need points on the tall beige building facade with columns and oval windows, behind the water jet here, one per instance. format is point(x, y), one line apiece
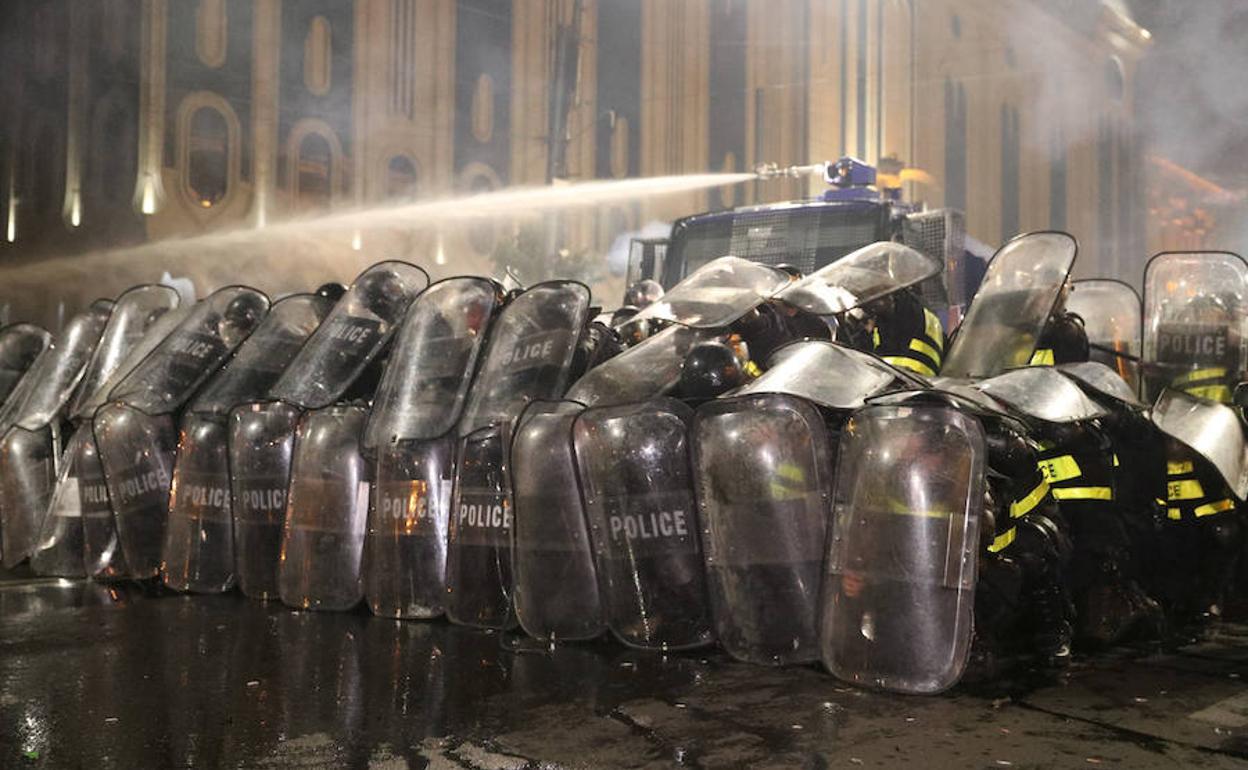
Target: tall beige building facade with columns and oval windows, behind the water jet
point(143, 122)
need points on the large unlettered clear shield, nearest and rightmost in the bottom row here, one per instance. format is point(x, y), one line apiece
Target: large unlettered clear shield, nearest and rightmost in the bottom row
point(899, 588)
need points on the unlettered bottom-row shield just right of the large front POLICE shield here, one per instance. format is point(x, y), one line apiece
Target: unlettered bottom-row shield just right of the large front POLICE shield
point(763, 474)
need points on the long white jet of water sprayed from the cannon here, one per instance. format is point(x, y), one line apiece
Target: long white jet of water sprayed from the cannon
point(298, 255)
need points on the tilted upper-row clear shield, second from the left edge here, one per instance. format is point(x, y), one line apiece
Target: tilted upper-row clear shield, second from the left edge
point(58, 371)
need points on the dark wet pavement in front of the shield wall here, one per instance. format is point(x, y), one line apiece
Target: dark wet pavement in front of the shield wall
point(119, 678)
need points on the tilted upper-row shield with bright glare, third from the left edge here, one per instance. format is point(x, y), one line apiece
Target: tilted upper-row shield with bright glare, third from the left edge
point(133, 316)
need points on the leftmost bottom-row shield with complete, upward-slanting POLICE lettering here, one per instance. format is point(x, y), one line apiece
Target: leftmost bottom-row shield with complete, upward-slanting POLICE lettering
point(137, 454)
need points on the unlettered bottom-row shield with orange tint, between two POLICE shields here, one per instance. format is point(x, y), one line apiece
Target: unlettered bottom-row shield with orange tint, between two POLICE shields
point(326, 514)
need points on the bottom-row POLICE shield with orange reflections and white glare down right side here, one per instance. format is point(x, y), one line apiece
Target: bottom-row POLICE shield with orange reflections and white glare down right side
point(409, 516)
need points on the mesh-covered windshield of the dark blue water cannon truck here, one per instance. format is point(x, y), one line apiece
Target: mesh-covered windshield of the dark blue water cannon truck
point(804, 235)
